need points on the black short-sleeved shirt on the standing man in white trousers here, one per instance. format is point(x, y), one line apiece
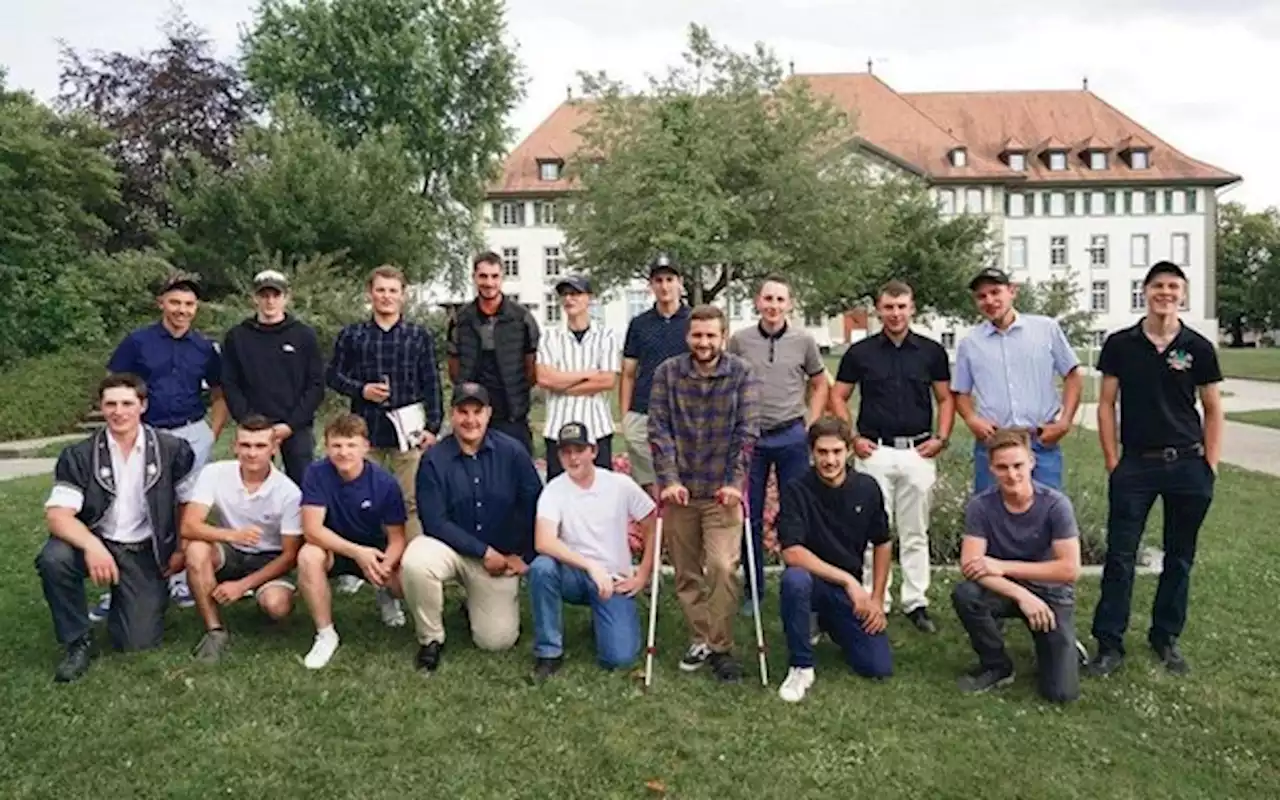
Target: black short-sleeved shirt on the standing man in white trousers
point(897, 383)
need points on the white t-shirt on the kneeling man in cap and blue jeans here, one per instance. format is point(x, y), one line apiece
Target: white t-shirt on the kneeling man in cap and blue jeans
point(595, 522)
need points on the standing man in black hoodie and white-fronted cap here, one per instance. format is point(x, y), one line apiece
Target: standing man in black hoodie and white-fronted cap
point(272, 367)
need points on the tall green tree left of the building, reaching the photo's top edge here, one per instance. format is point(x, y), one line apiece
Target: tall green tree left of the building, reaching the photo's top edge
point(436, 70)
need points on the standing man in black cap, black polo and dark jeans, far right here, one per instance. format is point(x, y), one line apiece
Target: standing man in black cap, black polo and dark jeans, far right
point(1158, 368)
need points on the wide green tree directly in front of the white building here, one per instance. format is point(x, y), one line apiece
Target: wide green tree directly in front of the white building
point(738, 173)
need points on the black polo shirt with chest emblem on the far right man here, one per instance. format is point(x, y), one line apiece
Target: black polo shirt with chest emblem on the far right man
point(1158, 388)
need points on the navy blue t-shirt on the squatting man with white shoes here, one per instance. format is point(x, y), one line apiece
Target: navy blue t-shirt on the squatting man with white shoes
point(355, 510)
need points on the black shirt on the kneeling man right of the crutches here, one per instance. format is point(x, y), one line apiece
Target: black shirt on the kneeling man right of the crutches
point(834, 523)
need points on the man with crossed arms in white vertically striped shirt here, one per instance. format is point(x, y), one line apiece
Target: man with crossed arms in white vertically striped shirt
point(578, 367)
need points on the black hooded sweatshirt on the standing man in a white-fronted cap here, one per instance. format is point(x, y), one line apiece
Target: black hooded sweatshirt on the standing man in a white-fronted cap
point(275, 371)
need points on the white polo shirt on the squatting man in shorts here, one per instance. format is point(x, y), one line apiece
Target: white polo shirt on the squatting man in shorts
point(276, 508)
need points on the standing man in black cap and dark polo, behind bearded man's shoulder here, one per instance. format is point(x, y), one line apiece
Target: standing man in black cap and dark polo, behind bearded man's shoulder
point(652, 337)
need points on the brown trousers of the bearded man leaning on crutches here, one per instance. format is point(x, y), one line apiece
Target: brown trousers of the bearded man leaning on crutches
point(706, 545)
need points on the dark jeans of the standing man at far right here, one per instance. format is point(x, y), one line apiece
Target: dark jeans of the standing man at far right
point(1187, 490)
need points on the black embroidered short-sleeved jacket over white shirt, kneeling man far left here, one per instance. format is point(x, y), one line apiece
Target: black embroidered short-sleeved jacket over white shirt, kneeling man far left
point(88, 467)
